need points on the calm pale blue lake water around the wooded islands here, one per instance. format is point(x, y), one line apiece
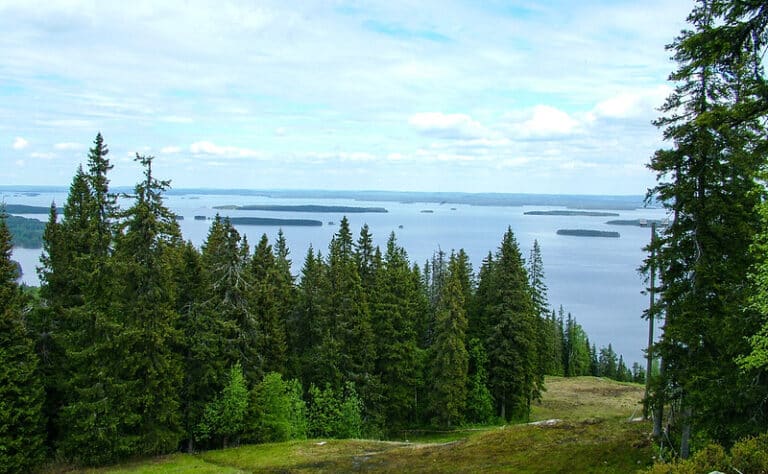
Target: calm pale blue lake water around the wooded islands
point(595, 279)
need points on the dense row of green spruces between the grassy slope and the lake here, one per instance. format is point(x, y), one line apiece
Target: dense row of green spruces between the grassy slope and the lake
point(139, 343)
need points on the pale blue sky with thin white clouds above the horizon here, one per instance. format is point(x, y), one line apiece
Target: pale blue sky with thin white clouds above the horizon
point(517, 96)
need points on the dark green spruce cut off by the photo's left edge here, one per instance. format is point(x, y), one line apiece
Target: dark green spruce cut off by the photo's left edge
point(21, 389)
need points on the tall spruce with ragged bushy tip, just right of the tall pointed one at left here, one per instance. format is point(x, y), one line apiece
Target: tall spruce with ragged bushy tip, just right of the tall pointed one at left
point(145, 256)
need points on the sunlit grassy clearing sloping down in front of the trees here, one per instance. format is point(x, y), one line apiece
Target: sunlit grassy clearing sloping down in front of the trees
point(593, 435)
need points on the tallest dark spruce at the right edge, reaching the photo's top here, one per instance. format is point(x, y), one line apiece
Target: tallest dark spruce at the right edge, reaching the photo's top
point(708, 180)
